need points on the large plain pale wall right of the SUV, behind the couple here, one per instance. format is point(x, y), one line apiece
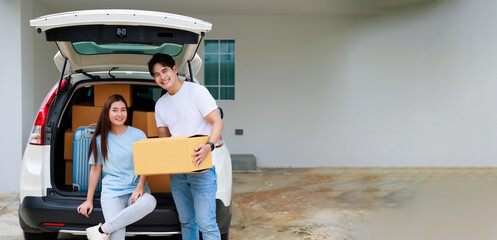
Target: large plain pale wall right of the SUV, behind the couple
point(412, 87)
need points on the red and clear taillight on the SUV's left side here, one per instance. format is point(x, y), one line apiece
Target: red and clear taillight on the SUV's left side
point(38, 132)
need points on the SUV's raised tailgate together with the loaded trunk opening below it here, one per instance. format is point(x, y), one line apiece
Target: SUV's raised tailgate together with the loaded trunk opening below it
point(102, 48)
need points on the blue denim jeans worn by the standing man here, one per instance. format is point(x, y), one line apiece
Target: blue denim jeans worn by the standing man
point(195, 198)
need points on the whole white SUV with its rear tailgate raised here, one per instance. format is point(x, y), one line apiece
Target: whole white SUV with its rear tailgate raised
point(105, 48)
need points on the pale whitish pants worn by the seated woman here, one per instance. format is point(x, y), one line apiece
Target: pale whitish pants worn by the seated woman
point(119, 213)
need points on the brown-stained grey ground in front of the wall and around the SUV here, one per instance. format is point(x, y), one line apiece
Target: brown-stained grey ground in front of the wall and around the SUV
point(349, 203)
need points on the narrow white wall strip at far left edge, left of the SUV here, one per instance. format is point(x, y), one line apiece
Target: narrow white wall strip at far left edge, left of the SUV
point(10, 95)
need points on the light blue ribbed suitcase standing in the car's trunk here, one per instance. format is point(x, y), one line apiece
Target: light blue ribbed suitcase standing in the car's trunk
point(81, 168)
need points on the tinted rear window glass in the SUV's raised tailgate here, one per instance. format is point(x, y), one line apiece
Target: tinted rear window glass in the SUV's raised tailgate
point(95, 48)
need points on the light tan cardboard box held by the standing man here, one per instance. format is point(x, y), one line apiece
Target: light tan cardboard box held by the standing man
point(168, 155)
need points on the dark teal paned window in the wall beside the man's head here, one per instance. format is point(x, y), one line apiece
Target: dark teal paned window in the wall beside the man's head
point(219, 68)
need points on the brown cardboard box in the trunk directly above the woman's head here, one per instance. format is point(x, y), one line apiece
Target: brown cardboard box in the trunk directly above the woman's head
point(102, 92)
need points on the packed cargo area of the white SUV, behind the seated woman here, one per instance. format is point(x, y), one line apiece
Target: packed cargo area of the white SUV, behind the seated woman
point(82, 109)
